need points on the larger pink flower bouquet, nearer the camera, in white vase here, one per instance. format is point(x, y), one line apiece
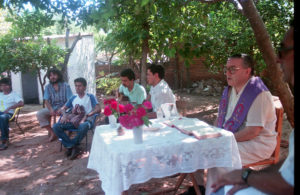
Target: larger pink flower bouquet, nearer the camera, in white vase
point(134, 117)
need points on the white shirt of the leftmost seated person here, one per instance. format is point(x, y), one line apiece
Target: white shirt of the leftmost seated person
point(9, 100)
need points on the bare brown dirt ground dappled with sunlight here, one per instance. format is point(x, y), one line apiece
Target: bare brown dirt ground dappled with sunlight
point(31, 165)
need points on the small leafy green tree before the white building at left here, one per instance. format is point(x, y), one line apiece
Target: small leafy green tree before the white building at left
point(23, 49)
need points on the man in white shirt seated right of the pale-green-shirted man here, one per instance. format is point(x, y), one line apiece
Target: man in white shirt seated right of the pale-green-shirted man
point(160, 92)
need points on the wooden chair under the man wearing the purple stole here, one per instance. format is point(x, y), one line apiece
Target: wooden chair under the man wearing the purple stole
point(278, 128)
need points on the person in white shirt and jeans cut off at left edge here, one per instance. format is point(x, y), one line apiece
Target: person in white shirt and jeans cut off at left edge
point(9, 100)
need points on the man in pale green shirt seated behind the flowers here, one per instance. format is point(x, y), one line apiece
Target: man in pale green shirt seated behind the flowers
point(136, 93)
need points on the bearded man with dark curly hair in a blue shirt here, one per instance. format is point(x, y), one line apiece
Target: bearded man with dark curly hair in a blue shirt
point(56, 94)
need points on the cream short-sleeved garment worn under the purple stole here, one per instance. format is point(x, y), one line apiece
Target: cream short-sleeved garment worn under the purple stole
point(261, 113)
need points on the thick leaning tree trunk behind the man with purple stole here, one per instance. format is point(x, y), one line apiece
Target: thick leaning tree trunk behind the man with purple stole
point(273, 70)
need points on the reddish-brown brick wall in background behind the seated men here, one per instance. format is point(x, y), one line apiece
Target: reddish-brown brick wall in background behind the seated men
point(197, 72)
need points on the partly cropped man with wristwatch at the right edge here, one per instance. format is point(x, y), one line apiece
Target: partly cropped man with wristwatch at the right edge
point(278, 178)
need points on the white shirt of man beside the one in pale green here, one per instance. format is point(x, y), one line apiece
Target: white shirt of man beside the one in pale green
point(160, 94)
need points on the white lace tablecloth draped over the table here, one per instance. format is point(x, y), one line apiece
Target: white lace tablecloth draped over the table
point(121, 163)
